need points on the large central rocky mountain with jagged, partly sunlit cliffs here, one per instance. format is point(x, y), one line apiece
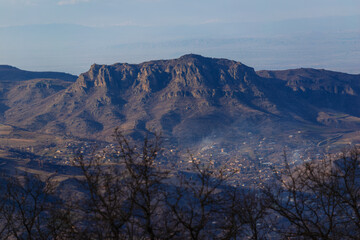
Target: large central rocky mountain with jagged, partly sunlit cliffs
point(173, 96)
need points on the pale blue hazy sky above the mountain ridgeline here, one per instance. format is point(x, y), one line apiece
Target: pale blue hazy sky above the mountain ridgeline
point(70, 35)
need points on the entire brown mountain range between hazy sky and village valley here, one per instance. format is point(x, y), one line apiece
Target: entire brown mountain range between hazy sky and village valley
point(188, 99)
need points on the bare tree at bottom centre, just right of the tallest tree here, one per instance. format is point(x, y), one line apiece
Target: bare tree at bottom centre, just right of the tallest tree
point(198, 200)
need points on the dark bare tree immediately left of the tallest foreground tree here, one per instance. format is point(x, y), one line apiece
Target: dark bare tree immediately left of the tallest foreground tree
point(105, 205)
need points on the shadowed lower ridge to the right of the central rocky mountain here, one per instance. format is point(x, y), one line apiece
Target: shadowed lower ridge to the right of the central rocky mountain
point(331, 93)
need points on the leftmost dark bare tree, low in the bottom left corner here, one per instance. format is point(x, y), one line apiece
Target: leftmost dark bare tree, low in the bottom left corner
point(28, 199)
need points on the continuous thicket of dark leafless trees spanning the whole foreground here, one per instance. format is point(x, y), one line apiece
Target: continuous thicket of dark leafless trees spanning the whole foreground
point(124, 194)
